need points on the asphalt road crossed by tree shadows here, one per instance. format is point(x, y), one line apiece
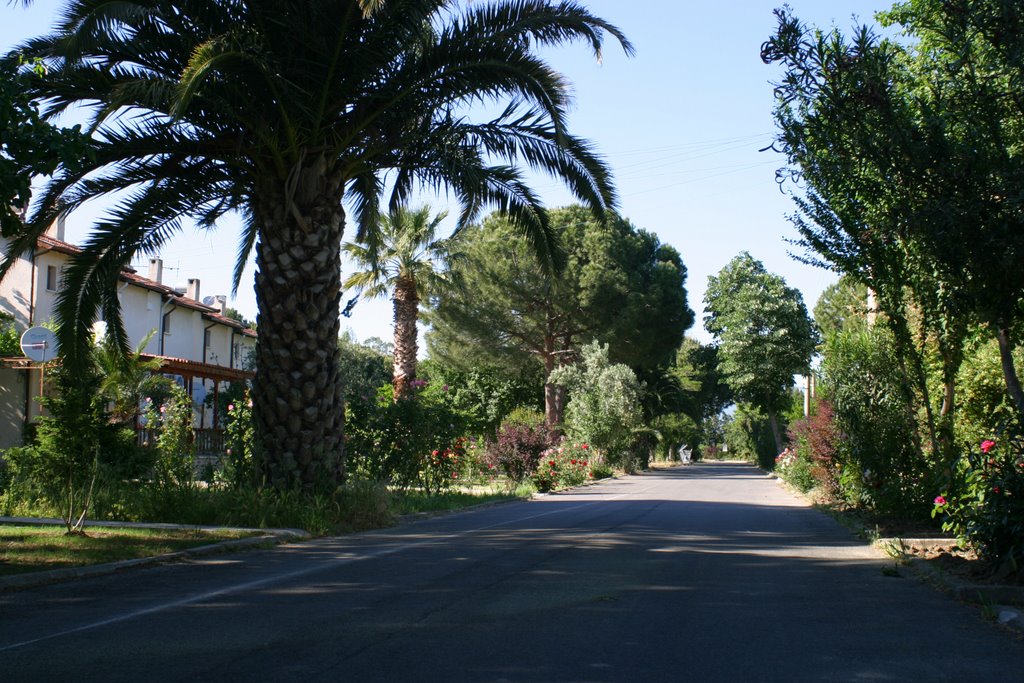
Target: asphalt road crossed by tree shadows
point(710, 573)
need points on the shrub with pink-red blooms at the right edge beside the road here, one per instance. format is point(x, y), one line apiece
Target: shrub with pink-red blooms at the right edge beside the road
point(987, 510)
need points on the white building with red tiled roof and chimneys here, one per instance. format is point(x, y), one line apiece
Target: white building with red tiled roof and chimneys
point(195, 341)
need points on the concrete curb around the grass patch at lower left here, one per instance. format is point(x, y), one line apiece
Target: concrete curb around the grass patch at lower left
point(270, 537)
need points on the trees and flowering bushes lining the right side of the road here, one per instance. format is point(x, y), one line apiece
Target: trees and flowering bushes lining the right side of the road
point(903, 157)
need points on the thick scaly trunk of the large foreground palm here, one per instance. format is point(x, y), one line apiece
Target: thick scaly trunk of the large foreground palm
point(298, 400)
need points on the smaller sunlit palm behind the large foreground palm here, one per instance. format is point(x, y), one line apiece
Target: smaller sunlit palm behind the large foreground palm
point(413, 264)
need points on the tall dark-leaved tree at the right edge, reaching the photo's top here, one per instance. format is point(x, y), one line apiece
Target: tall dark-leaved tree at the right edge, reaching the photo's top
point(909, 153)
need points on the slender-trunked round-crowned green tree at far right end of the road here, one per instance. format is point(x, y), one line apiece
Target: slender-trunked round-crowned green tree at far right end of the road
point(763, 333)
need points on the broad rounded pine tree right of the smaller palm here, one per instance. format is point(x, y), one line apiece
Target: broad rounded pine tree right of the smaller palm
point(621, 286)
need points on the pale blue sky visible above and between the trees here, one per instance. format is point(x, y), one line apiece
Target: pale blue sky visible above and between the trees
point(680, 123)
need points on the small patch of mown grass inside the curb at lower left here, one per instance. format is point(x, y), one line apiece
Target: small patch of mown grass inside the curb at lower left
point(25, 549)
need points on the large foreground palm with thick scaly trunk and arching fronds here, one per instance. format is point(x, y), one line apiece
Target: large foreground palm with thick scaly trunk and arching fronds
point(290, 113)
